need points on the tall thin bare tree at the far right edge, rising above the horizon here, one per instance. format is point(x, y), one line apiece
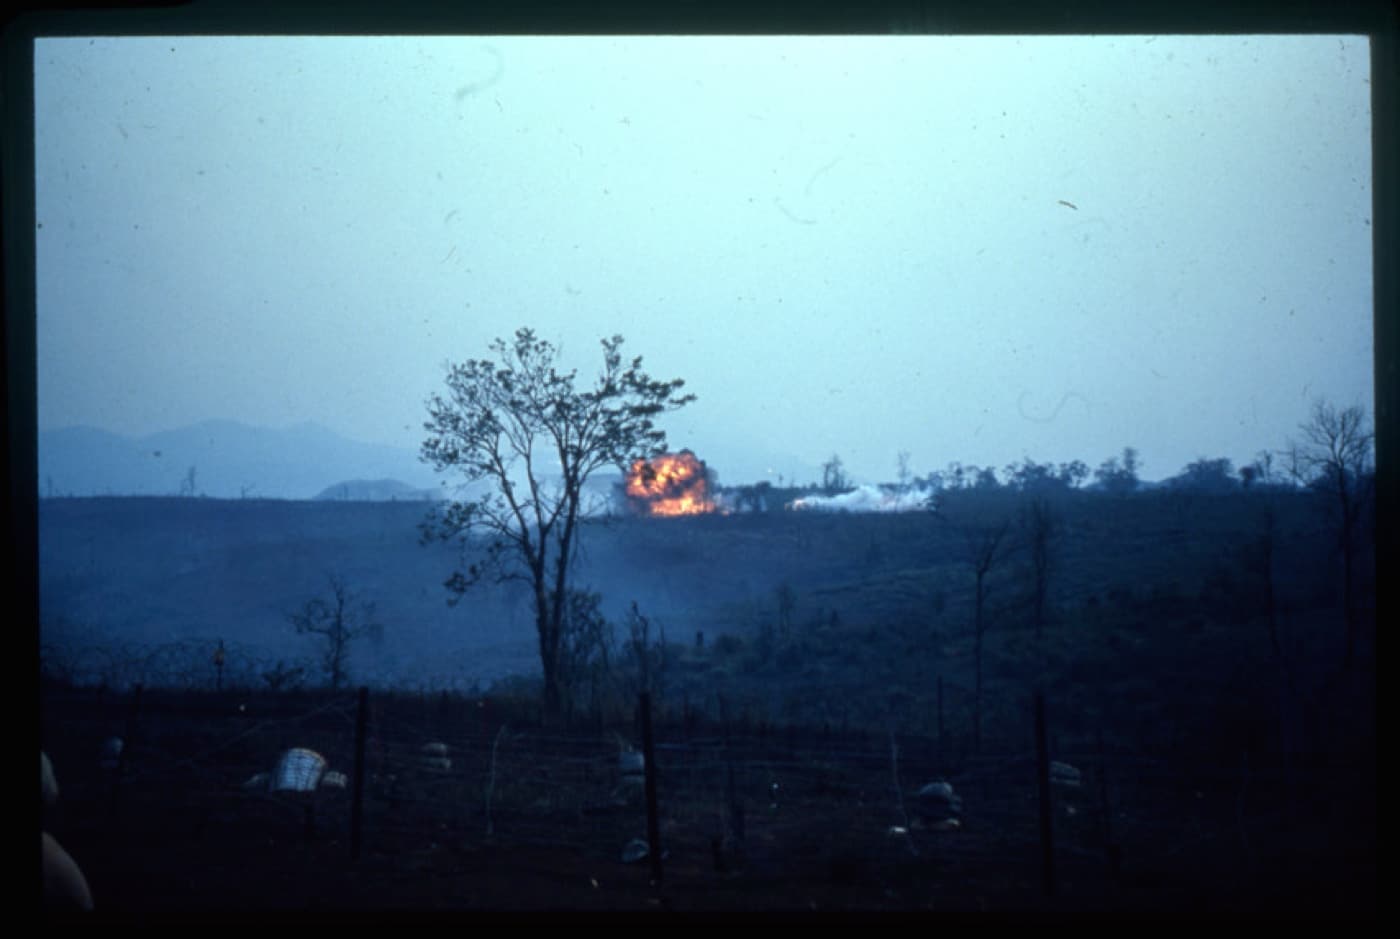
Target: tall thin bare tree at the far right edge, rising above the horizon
point(1333, 458)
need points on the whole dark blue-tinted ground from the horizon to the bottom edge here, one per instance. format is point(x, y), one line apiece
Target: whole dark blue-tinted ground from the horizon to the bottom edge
point(811, 675)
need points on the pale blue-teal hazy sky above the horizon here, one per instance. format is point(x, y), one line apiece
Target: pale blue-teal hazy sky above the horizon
point(976, 250)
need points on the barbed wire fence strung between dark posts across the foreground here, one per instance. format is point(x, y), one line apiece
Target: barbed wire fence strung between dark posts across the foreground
point(453, 770)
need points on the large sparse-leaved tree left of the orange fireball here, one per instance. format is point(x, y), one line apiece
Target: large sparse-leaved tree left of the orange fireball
point(524, 428)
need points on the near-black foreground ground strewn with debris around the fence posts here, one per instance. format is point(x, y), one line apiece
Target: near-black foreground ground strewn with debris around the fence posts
point(178, 838)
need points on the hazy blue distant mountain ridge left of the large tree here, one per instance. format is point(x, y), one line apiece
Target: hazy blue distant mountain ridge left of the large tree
point(222, 460)
